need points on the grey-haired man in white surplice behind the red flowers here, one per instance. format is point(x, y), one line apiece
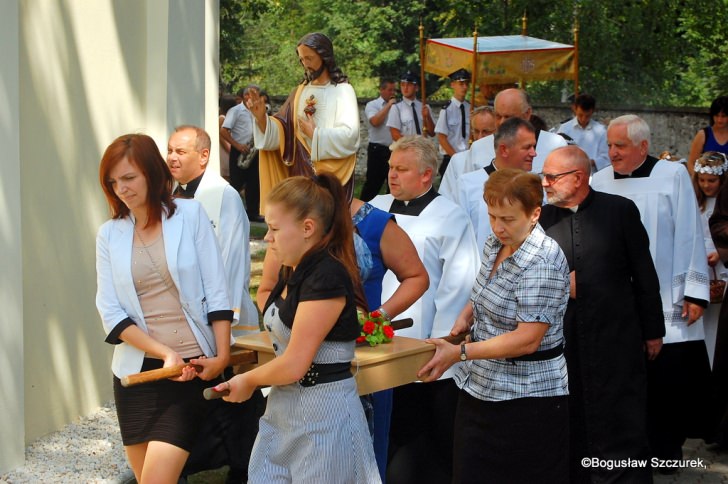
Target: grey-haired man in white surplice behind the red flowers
point(444, 239)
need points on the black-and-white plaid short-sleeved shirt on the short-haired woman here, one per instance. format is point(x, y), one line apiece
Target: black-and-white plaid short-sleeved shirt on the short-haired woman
point(531, 285)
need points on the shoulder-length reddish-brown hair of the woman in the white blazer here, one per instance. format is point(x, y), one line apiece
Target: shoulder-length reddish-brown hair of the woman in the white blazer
point(141, 151)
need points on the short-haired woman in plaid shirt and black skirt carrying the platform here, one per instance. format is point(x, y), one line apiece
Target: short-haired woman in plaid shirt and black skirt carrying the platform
point(511, 423)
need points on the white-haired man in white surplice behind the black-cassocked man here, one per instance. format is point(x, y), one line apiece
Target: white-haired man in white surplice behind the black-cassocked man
point(679, 377)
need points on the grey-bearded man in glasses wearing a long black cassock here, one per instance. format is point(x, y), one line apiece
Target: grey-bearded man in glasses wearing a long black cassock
point(614, 321)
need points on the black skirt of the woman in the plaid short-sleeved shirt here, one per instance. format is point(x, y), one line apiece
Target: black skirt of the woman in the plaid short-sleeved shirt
point(516, 441)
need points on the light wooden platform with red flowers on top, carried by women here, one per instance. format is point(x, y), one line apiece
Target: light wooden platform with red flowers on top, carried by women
point(375, 368)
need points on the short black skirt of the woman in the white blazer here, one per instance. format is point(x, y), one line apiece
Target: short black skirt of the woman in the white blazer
point(165, 411)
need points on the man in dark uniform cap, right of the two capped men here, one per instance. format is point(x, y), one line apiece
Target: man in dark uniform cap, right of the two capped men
point(453, 125)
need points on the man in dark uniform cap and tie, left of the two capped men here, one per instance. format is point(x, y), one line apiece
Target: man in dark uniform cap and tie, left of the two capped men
point(409, 116)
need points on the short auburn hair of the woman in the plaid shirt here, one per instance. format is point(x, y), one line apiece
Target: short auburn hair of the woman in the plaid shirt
point(514, 185)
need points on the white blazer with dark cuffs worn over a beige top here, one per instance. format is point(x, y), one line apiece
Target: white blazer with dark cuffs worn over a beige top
point(194, 263)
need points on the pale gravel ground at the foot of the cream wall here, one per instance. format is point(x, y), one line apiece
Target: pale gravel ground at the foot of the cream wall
point(87, 451)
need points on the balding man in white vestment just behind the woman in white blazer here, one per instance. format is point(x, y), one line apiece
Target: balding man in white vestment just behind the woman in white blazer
point(228, 433)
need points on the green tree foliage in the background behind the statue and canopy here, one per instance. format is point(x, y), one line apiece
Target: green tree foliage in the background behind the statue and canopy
point(631, 52)
